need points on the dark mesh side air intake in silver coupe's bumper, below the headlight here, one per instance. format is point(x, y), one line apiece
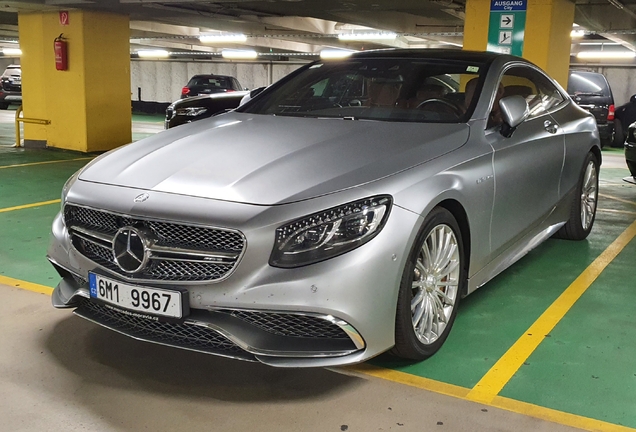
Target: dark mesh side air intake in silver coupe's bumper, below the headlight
point(292, 324)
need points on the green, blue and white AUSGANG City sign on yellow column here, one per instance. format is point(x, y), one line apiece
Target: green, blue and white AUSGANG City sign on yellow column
point(506, 26)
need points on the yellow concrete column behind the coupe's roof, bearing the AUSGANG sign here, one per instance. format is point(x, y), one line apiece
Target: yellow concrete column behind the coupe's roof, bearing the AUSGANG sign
point(547, 33)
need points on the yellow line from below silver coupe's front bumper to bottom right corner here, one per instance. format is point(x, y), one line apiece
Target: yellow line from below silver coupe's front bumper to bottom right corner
point(512, 405)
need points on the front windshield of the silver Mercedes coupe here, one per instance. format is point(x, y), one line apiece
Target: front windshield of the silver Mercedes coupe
point(388, 89)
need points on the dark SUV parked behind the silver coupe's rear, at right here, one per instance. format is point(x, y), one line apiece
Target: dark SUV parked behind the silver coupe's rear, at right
point(591, 91)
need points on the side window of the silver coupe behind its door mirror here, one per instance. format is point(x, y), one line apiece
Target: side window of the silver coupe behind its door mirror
point(536, 88)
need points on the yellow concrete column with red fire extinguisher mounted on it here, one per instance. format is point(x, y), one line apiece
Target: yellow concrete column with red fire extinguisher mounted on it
point(88, 104)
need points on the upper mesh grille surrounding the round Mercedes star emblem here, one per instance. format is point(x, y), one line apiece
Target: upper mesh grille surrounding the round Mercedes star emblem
point(94, 228)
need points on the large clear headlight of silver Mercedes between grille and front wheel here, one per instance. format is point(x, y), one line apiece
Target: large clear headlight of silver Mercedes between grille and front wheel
point(330, 233)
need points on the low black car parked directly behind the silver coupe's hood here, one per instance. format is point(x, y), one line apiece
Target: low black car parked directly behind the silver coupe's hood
point(200, 107)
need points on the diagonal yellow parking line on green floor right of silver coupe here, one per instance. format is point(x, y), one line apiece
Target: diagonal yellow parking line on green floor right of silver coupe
point(498, 376)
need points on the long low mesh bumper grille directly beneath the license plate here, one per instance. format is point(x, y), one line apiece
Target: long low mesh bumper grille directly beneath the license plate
point(189, 336)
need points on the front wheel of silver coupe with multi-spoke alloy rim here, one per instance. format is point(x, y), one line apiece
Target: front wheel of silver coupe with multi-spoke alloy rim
point(438, 291)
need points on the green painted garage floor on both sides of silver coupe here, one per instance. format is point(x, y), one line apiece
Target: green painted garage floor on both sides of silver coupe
point(585, 366)
